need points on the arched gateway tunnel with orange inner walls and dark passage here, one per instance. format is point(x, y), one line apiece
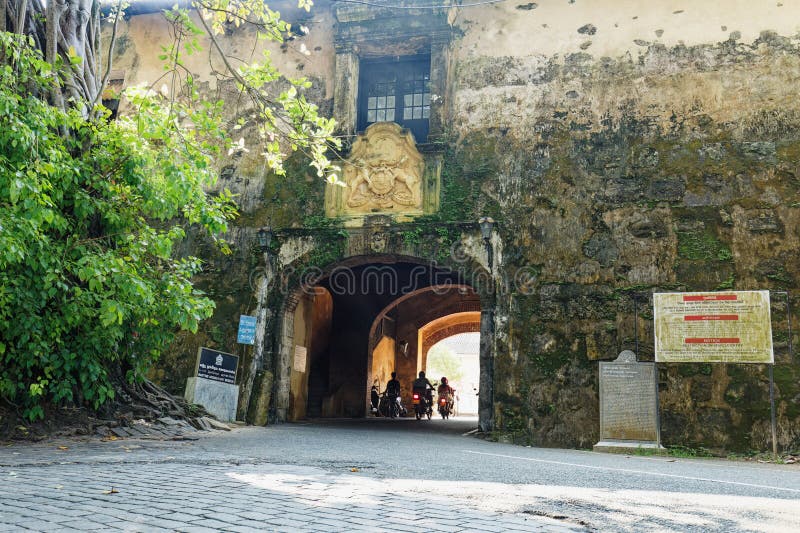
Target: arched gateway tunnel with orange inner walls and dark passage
point(362, 318)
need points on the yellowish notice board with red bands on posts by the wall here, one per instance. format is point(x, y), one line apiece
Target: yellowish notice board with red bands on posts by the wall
point(713, 327)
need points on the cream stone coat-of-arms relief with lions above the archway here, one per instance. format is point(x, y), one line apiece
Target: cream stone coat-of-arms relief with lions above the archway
point(384, 169)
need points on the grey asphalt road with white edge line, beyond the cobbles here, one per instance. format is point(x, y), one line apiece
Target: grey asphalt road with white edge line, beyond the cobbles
point(433, 461)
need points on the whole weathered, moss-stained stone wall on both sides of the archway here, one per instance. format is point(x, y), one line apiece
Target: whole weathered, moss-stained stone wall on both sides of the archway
point(622, 147)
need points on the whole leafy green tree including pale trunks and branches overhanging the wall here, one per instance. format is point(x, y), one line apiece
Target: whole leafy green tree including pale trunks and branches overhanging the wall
point(90, 210)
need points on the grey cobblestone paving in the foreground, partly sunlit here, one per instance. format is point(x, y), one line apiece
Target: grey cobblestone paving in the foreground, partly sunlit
point(72, 486)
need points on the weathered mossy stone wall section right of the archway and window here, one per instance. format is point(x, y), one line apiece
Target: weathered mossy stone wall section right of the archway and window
point(631, 149)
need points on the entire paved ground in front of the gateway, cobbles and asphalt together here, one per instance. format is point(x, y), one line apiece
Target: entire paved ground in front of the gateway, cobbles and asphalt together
point(378, 475)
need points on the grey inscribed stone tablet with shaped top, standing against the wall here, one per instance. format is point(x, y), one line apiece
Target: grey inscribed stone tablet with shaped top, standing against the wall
point(628, 410)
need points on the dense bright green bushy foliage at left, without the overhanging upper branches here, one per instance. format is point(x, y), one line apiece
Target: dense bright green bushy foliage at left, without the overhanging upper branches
point(90, 290)
